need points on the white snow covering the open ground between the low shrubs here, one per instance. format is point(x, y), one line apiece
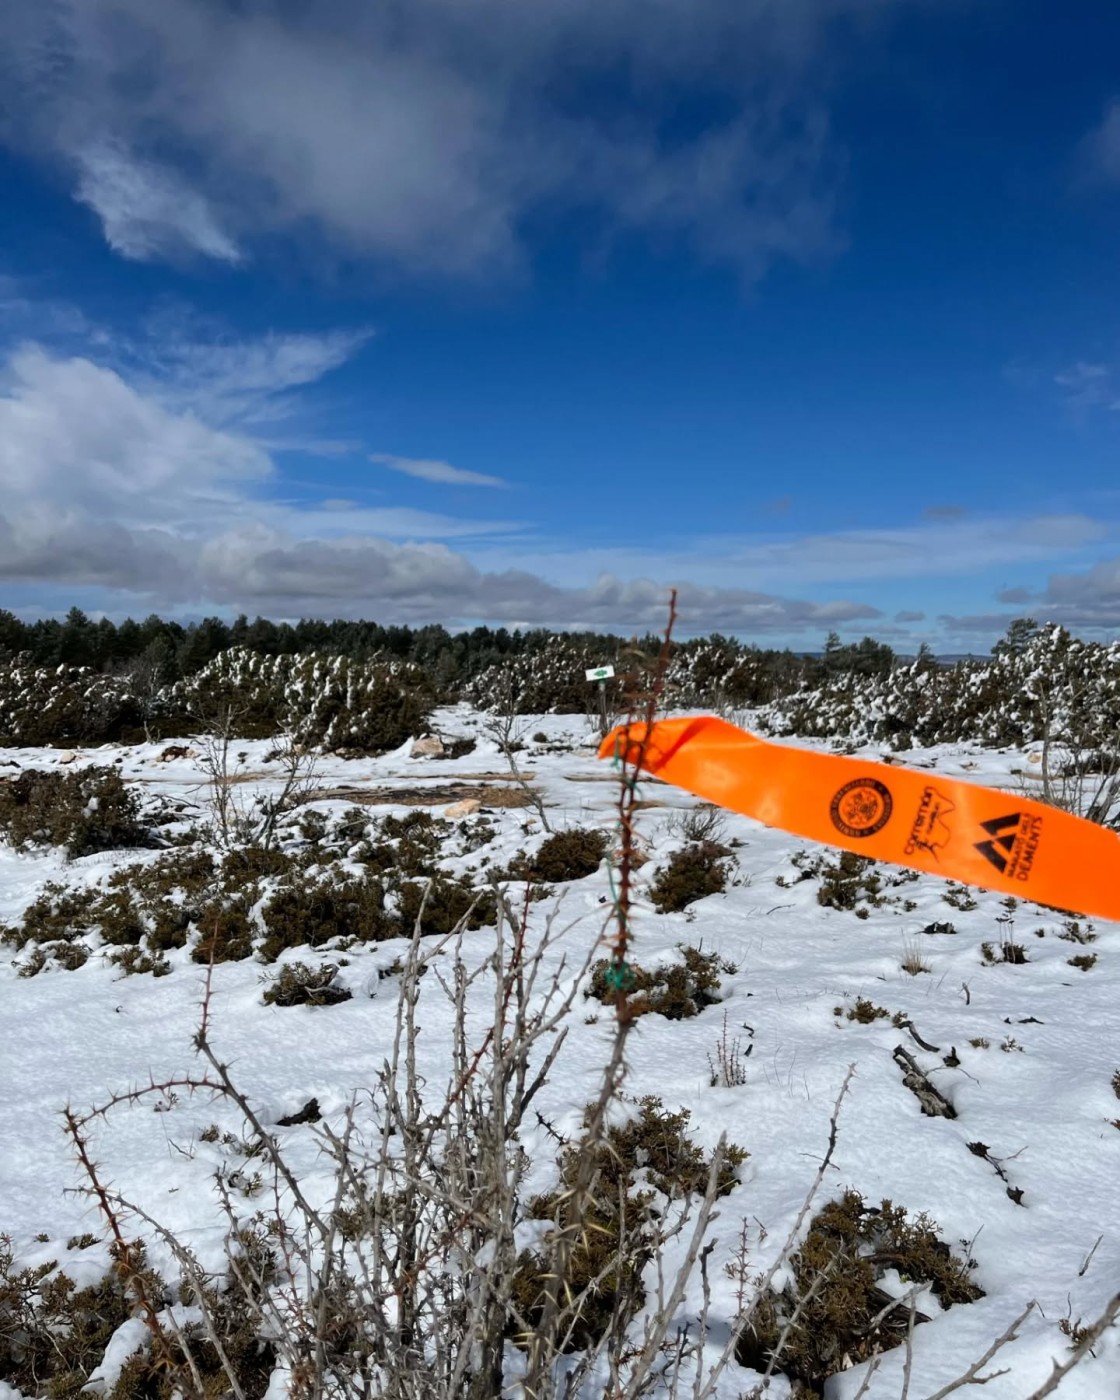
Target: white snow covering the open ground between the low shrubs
point(1035, 1087)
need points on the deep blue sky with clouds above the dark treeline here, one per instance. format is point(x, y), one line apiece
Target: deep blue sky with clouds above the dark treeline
point(521, 314)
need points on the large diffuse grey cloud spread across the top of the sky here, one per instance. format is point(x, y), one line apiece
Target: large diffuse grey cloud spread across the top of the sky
point(426, 134)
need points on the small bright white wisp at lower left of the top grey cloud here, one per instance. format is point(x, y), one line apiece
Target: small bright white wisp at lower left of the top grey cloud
point(146, 211)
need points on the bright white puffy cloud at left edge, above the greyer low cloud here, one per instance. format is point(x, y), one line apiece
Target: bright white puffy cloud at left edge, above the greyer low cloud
point(82, 442)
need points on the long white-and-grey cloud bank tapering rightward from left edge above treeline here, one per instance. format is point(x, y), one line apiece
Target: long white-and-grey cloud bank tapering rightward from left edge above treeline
point(110, 485)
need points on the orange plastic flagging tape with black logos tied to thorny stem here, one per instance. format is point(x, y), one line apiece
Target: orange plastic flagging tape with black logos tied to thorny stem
point(933, 824)
